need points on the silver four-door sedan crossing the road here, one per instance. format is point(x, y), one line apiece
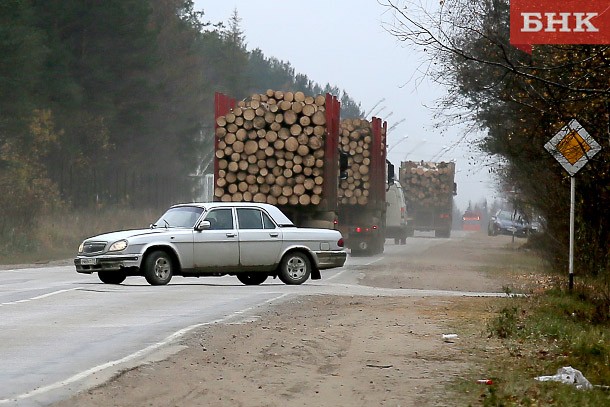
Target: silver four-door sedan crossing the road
point(248, 240)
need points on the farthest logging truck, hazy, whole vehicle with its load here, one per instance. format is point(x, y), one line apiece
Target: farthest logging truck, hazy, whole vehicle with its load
point(429, 189)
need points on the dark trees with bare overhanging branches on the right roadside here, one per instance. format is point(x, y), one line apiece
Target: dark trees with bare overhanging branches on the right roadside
point(519, 102)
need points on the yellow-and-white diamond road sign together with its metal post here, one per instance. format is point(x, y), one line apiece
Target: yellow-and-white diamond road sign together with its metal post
point(572, 147)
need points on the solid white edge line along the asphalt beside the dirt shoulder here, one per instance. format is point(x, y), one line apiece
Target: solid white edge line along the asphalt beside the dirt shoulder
point(133, 356)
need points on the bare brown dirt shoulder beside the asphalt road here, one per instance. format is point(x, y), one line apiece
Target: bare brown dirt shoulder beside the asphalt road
point(332, 351)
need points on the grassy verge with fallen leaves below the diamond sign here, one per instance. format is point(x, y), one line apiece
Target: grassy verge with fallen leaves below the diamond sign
point(513, 340)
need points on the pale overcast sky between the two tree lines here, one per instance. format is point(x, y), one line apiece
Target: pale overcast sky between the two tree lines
point(343, 42)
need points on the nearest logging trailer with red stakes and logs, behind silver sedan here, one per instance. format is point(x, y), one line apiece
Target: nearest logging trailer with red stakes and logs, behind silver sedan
point(279, 148)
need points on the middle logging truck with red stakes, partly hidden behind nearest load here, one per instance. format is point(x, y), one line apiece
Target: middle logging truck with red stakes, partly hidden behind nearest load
point(362, 191)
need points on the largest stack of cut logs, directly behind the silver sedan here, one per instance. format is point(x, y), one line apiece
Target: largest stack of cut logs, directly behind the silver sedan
point(271, 149)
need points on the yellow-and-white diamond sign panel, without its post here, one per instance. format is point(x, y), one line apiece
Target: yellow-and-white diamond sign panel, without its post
point(572, 147)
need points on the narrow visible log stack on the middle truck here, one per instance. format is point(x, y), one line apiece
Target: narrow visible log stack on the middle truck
point(355, 139)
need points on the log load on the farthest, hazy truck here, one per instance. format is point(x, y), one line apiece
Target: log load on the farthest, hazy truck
point(427, 183)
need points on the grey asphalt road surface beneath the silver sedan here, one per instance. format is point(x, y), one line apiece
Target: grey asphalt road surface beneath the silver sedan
point(62, 332)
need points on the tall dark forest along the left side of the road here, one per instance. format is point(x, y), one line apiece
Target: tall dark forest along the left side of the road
point(101, 100)
